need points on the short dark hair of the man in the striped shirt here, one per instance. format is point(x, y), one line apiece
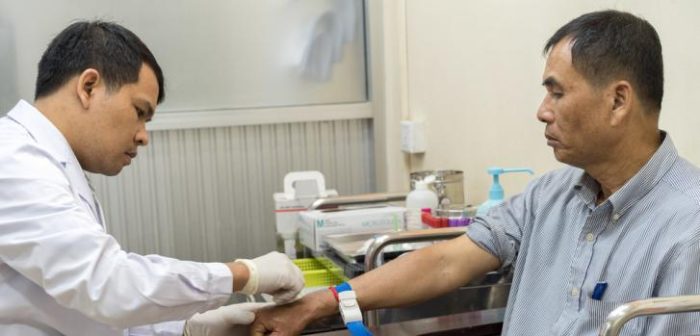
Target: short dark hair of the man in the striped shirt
point(611, 45)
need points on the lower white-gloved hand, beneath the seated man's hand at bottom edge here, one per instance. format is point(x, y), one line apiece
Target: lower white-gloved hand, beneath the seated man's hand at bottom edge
point(225, 320)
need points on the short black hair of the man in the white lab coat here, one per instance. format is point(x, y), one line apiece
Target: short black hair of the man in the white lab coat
point(107, 47)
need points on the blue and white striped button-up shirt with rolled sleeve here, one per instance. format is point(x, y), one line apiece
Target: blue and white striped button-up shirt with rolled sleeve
point(644, 241)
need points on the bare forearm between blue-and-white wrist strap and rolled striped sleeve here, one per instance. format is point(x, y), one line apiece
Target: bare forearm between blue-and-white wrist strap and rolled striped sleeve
point(423, 274)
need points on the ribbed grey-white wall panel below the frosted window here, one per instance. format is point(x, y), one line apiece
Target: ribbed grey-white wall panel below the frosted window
point(206, 194)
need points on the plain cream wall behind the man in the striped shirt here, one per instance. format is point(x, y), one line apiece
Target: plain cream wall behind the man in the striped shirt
point(473, 73)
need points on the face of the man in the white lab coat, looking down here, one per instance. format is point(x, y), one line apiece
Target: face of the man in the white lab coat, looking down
point(120, 124)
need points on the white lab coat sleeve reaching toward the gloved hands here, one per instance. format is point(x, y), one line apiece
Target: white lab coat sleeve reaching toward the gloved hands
point(46, 236)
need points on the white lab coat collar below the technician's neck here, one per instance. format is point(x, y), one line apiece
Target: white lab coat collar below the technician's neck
point(45, 133)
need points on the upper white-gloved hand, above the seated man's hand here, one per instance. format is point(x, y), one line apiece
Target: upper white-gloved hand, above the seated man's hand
point(273, 274)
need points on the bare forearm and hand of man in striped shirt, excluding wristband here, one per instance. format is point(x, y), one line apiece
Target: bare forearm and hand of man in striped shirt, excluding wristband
point(412, 278)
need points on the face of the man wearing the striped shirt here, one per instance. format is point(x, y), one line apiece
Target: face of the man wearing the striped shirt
point(573, 111)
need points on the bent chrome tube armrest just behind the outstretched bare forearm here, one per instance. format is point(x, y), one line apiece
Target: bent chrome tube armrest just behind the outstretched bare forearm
point(374, 251)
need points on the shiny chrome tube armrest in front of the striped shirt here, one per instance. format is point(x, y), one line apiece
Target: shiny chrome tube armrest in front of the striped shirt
point(654, 306)
